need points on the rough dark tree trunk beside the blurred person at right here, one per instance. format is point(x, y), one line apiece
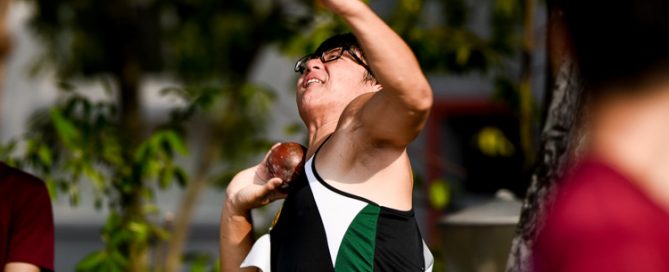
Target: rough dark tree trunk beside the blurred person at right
point(560, 140)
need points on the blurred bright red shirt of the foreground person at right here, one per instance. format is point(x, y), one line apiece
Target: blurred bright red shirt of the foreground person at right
point(602, 222)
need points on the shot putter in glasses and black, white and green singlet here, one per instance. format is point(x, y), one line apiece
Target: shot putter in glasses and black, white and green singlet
point(363, 99)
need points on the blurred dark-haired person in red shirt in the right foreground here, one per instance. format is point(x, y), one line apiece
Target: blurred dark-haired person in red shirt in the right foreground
point(612, 211)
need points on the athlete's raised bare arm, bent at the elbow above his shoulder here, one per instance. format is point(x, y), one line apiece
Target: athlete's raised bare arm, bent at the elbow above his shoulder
point(397, 113)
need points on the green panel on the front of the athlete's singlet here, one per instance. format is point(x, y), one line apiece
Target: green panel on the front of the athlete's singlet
point(356, 252)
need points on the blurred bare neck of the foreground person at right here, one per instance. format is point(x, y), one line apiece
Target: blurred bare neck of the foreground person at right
point(630, 133)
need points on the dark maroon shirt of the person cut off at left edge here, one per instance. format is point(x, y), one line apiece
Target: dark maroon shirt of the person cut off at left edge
point(26, 220)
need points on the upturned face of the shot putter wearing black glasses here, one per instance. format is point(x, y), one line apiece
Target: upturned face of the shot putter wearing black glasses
point(336, 76)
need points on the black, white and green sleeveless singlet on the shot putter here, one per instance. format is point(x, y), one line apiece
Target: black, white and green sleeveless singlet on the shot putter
point(321, 228)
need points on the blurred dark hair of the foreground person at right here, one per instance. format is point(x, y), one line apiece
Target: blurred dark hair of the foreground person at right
point(619, 42)
